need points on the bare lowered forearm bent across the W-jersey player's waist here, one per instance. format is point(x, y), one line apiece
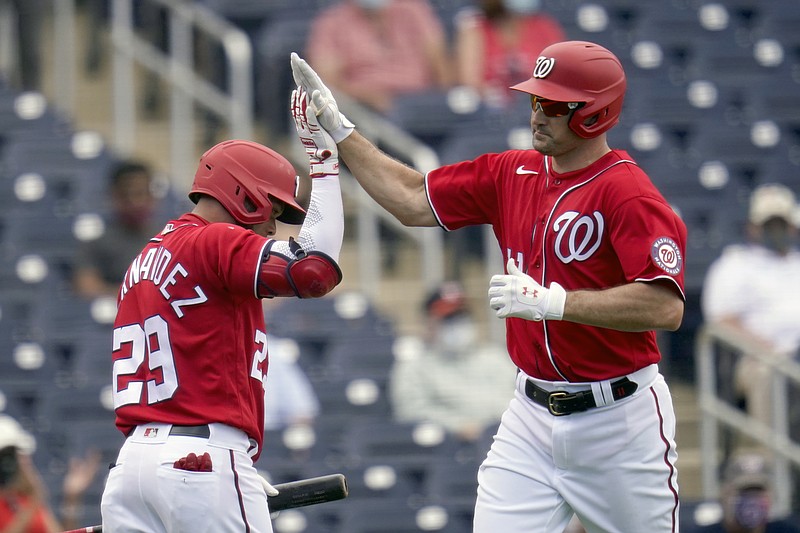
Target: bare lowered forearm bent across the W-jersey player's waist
point(632, 307)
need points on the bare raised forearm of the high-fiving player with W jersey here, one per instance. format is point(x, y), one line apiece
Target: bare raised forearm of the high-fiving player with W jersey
point(395, 186)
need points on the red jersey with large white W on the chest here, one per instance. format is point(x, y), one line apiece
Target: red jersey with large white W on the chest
point(599, 227)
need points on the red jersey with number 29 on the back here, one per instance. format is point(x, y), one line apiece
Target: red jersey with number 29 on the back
point(190, 346)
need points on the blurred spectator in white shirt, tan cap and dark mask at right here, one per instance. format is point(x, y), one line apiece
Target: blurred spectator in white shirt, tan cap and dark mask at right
point(755, 288)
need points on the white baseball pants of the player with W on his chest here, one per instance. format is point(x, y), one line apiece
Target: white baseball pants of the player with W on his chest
point(613, 466)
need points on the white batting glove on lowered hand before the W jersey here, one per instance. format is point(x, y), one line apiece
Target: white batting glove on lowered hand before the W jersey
point(517, 295)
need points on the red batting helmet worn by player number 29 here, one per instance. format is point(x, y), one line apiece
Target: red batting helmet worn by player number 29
point(244, 177)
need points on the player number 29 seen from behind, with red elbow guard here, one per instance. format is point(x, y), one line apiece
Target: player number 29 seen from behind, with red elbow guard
point(190, 351)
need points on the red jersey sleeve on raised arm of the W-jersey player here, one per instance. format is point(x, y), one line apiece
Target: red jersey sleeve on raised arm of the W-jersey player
point(465, 193)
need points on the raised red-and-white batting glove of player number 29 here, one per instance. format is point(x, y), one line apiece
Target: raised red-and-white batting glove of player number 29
point(323, 156)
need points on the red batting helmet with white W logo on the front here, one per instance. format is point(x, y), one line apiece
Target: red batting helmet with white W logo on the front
point(580, 71)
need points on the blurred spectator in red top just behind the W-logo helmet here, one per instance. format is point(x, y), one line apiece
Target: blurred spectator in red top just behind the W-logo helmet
point(497, 43)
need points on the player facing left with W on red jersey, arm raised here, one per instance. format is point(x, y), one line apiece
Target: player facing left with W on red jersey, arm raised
point(594, 265)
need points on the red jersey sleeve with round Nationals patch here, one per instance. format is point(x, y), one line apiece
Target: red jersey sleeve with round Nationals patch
point(650, 241)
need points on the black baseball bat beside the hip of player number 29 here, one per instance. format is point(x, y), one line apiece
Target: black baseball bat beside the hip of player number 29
point(293, 494)
